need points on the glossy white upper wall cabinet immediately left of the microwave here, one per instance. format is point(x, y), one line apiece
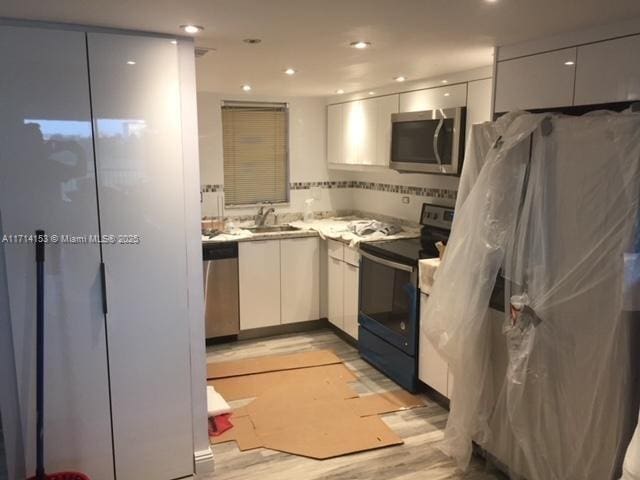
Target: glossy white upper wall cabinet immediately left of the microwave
point(359, 132)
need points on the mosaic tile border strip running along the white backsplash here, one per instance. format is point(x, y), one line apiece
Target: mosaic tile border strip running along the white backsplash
point(379, 187)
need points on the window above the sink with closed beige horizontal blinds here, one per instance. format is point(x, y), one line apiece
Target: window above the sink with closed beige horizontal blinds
point(255, 147)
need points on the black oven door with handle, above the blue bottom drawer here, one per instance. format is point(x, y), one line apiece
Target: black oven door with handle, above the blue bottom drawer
point(389, 299)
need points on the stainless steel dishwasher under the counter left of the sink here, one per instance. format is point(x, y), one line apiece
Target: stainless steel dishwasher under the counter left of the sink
point(221, 290)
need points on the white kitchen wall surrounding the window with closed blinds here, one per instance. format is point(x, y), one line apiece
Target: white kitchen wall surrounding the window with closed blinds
point(307, 145)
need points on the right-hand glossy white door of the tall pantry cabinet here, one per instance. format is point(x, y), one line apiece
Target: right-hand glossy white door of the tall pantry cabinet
point(136, 109)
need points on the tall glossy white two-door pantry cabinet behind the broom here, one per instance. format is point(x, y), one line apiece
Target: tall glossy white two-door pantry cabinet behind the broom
point(91, 143)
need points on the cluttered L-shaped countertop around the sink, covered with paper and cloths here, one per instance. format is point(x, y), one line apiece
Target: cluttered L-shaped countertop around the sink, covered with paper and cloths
point(333, 228)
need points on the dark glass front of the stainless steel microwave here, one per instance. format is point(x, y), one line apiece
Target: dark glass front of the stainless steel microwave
point(413, 142)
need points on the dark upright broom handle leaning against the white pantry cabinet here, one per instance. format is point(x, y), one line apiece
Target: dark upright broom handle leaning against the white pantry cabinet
point(40, 475)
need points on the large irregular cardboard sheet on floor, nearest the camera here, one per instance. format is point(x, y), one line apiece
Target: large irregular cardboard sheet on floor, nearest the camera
point(309, 411)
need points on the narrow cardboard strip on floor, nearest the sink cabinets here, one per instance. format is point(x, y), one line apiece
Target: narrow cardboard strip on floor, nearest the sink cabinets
point(271, 363)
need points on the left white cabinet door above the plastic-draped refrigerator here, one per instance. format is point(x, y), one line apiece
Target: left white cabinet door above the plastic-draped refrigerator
point(537, 81)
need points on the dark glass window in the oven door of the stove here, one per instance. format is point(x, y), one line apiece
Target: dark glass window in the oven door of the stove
point(388, 296)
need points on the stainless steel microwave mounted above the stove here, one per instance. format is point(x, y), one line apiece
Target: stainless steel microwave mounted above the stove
point(431, 141)
